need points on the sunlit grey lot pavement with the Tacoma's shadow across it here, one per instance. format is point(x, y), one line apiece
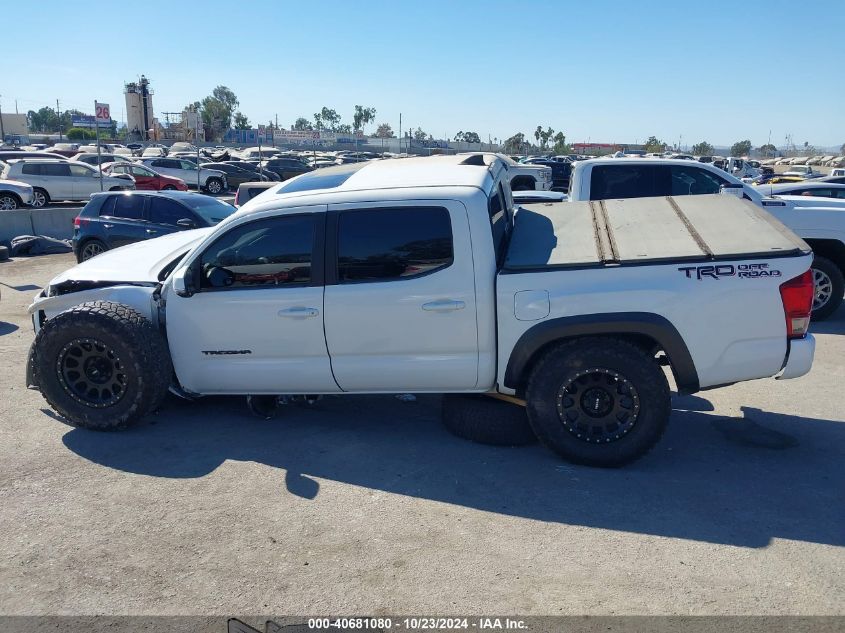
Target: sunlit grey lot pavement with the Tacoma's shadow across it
point(367, 505)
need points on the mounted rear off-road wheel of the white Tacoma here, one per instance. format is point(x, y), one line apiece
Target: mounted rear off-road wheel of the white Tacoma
point(618, 367)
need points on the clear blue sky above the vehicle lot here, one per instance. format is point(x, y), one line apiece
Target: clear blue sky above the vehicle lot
point(600, 70)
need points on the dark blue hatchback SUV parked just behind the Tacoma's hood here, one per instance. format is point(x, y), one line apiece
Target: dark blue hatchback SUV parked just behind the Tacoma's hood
point(114, 219)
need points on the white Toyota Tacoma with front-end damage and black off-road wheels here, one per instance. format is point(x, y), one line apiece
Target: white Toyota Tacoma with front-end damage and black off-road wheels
point(414, 276)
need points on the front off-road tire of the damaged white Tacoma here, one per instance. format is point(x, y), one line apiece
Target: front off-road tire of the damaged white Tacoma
point(140, 349)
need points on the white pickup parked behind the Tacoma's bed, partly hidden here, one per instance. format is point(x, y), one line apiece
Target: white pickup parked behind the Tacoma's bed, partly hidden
point(818, 221)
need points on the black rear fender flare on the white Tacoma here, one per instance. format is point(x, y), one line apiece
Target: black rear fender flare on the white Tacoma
point(646, 324)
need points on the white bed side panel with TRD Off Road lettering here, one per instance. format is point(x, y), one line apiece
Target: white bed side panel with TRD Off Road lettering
point(733, 327)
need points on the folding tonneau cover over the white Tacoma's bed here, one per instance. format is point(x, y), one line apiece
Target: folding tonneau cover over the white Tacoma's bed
point(634, 230)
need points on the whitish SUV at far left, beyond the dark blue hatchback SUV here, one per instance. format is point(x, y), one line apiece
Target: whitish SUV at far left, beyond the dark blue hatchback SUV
point(63, 180)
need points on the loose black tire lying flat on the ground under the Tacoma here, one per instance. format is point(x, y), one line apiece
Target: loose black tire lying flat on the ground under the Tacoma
point(486, 420)
